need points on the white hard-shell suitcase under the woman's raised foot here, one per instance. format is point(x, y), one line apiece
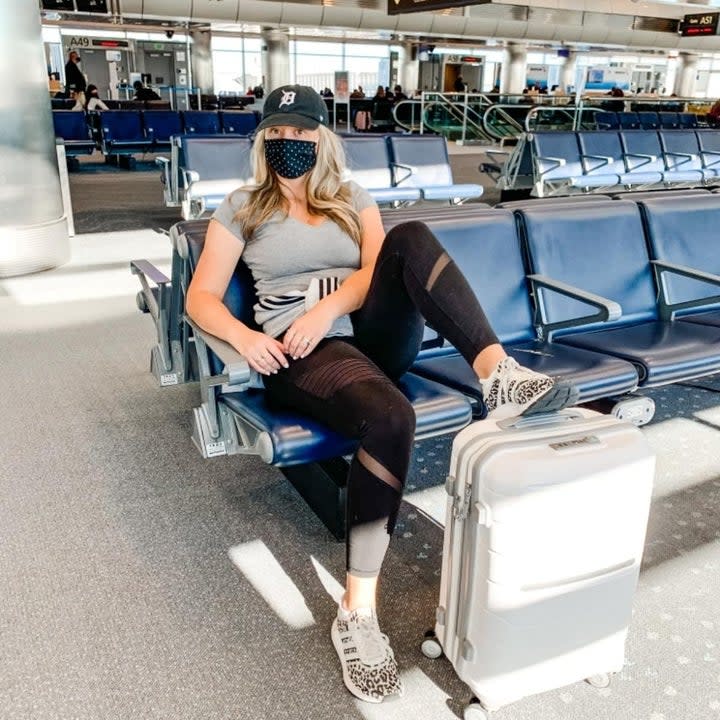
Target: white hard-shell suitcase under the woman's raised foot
point(544, 534)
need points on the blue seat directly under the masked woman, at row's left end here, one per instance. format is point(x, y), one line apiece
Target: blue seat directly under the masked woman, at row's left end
point(235, 417)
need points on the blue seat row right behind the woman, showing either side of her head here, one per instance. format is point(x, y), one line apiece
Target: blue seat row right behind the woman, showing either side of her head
point(396, 169)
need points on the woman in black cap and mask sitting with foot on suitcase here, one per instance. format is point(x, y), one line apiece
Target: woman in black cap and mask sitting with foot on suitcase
point(341, 306)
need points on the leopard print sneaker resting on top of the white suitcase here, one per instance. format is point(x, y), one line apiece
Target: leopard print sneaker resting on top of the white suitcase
point(514, 390)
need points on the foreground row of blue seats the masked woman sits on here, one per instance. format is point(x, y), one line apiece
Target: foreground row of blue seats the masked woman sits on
point(613, 295)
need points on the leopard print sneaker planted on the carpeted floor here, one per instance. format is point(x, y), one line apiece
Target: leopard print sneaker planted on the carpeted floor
point(368, 662)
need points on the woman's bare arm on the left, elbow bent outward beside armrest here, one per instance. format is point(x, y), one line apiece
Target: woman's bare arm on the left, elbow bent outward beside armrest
point(205, 306)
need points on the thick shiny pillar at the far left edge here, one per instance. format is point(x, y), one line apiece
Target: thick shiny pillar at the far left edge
point(33, 226)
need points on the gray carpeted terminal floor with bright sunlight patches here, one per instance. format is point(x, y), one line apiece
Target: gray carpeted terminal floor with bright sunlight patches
point(142, 581)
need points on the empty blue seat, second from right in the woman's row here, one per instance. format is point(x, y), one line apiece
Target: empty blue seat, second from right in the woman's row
point(600, 249)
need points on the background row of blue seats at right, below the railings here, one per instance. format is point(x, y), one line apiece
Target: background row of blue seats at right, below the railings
point(561, 162)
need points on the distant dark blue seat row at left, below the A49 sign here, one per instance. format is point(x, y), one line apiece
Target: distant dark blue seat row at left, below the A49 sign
point(127, 132)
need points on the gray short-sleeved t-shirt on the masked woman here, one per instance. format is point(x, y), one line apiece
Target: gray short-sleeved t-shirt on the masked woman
point(295, 264)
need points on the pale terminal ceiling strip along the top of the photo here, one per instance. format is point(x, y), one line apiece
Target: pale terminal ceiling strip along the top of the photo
point(637, 24)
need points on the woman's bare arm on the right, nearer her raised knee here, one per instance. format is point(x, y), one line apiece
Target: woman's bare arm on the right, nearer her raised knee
point(315, 323)
